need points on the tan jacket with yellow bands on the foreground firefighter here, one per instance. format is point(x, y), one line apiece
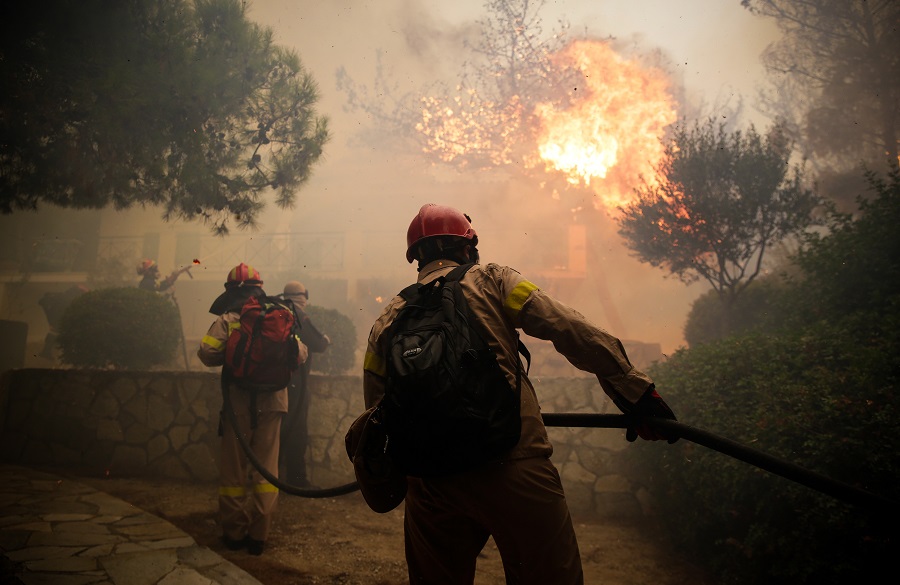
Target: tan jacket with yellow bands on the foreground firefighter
point(502, 300)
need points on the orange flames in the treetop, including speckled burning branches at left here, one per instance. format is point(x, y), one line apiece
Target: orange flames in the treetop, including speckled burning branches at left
point(602, 132)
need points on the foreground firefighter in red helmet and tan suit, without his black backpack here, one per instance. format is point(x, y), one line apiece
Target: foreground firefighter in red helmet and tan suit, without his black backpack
point(518, 498)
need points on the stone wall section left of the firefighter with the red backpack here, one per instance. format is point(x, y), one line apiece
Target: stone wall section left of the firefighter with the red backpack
point(107, 422)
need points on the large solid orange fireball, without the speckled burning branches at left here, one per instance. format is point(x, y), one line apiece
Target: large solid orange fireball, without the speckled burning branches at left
point(609, 135)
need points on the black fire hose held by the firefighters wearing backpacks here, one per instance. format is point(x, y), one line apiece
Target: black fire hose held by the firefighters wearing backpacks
point(811, 479)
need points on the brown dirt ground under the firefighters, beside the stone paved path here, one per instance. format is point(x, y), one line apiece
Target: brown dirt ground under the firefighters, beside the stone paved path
point(340, 541)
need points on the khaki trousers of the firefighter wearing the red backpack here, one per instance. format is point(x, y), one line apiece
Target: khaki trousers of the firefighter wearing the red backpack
point(247, 501)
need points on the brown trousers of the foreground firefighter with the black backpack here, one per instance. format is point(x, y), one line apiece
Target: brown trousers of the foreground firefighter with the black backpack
point(520, 503)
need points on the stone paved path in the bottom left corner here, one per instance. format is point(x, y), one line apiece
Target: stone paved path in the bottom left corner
point(60, 532)
